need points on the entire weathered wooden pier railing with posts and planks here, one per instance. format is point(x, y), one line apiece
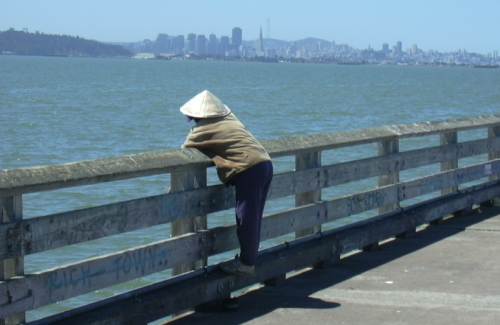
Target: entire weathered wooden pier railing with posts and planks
point(190, 200)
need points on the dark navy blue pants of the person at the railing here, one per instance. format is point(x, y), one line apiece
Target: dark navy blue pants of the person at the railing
point(252, 186)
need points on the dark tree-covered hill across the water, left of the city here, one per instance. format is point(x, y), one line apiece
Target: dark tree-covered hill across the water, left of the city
point(24, 43)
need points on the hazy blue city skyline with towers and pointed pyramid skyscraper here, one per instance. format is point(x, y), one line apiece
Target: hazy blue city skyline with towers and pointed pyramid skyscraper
point(198, 46)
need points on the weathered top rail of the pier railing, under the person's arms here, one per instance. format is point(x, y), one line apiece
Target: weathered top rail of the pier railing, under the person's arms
point(42, 178)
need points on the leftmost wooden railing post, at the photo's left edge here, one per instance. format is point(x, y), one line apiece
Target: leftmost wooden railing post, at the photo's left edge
point(11, 211)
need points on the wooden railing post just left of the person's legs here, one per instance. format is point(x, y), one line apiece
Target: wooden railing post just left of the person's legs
point(181, 181)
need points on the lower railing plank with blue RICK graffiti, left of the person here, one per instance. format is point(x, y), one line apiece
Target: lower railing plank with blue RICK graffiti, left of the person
point(60, 283)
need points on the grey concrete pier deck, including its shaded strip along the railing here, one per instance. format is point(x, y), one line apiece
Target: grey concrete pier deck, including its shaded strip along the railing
point(445, 274)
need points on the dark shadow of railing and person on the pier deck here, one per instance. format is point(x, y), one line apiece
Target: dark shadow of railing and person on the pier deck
point(266, 304)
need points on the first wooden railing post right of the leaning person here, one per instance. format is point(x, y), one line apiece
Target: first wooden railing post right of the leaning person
point(306, 161)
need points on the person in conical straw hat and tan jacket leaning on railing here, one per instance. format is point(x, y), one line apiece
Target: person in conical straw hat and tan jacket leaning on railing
point(241, 161)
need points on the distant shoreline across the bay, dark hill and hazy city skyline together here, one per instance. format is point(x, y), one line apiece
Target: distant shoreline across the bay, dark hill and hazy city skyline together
point(198, 46)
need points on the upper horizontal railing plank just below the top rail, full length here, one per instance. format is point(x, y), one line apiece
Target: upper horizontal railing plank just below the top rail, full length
point(71, 227)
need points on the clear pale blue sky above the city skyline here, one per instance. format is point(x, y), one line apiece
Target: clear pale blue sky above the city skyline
point(431, 24)
